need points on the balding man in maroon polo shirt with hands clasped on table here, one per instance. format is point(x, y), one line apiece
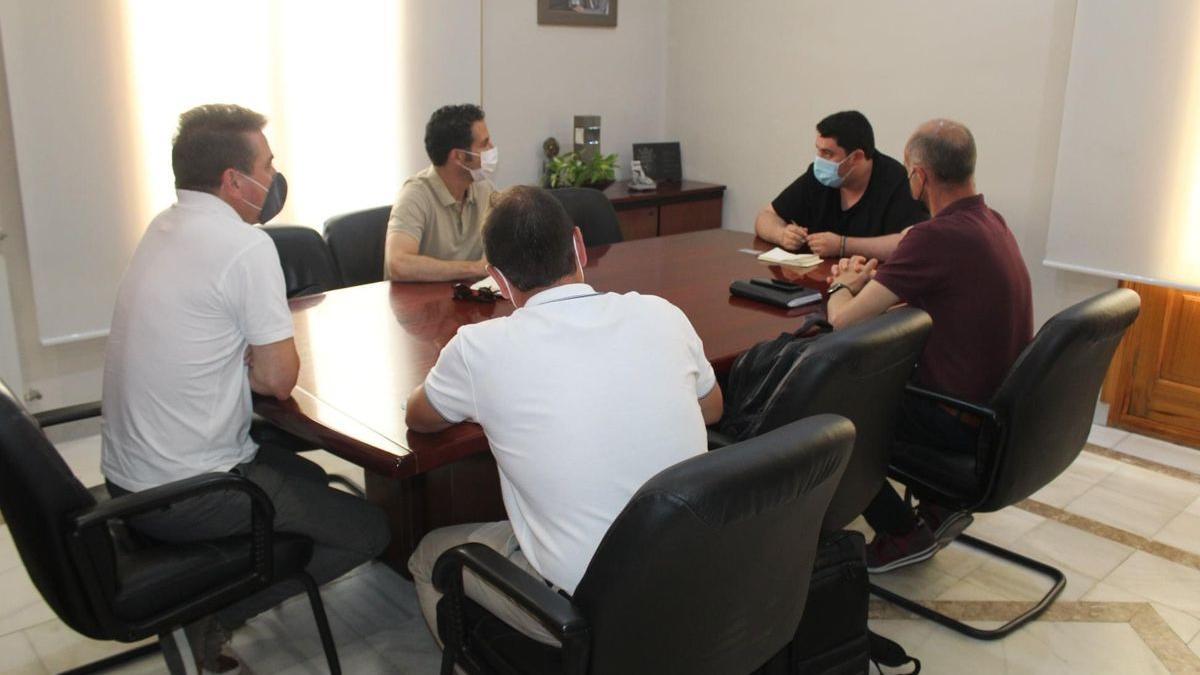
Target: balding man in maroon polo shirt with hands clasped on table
point(964, 268)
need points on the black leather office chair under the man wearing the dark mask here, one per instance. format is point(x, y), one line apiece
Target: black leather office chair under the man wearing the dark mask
point(110, 584)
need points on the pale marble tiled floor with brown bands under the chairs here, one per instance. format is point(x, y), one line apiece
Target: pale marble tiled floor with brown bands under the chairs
point(1123, 523)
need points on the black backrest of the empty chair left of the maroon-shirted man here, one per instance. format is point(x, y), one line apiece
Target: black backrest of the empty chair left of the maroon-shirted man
point(859, 373)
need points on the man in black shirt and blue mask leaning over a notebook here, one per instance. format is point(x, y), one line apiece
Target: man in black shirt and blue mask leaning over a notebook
point(853, 200)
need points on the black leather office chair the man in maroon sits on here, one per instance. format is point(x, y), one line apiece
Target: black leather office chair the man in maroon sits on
point(1034, 428)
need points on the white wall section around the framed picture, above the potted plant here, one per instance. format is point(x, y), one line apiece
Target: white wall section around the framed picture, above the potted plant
point(538, 77)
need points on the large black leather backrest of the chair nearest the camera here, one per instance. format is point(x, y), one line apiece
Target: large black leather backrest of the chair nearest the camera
point(707, 569)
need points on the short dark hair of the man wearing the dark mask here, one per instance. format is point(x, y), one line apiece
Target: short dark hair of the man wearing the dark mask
point(211, 140)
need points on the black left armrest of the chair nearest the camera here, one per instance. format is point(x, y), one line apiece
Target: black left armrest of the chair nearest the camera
point(553, 611)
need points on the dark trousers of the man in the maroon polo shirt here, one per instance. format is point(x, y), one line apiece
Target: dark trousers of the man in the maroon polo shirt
point(922, 423)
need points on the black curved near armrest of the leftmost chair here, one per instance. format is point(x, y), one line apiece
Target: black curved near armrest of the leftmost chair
point(262, 511)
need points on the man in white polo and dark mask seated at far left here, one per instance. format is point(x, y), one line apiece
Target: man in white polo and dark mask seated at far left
point(202, 321)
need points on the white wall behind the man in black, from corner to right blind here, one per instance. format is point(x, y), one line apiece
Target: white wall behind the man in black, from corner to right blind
point(747, 83)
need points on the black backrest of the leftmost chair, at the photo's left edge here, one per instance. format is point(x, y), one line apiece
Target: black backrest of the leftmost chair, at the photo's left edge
point(38, 495)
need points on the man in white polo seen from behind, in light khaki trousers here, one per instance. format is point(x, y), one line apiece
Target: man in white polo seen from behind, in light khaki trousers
point(583, 396)
